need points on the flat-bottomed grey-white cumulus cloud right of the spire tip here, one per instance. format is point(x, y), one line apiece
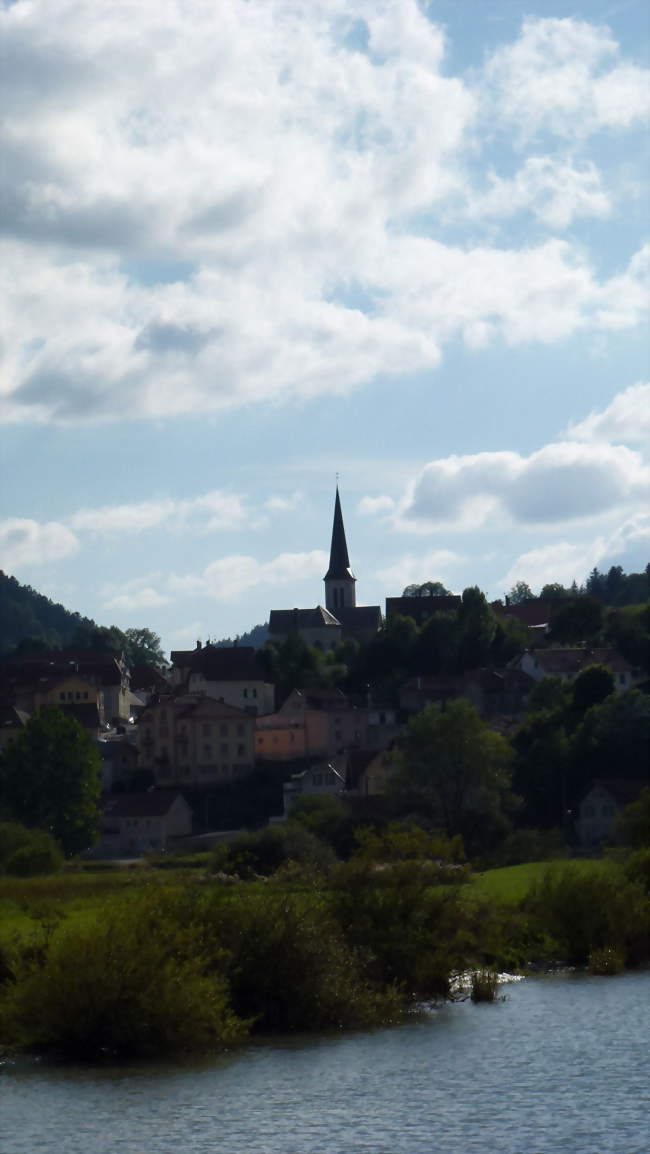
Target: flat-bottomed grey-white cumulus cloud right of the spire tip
point(563, 482)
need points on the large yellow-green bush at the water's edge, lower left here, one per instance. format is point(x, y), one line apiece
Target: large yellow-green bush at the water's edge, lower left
point(135, 984)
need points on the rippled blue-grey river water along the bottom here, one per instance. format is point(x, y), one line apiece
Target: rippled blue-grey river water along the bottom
point(561, 1068)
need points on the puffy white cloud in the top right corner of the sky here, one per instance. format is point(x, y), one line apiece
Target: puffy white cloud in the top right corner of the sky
point(566, 77)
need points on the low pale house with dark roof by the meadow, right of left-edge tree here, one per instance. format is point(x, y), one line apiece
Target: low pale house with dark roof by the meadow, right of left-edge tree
point(133, 825)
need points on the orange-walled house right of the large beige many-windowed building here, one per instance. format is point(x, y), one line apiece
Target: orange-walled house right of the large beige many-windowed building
point(312, 723)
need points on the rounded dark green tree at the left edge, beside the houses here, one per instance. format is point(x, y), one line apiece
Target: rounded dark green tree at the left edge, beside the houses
point(50, 780)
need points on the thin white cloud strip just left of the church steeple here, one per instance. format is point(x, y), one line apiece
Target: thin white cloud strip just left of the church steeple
point(229, 579)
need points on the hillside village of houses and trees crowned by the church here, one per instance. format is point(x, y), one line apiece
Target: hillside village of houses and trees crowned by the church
point(233, 736)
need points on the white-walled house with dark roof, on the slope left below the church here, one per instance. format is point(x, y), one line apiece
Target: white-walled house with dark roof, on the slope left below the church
point(233, 675)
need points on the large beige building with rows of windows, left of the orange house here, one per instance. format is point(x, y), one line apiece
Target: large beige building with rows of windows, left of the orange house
point(196, 740)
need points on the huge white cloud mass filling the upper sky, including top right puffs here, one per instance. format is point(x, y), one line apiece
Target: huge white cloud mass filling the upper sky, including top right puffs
point(198, 192)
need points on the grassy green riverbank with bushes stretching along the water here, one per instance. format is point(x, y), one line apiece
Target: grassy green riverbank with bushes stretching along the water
point(168, 962)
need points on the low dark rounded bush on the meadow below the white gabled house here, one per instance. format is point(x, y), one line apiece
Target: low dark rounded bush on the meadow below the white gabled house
point(265, 852)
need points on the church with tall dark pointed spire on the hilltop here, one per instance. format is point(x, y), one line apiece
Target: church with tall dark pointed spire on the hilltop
point(341, 618)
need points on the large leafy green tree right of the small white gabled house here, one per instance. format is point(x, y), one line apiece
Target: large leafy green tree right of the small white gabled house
point(459, 763)
